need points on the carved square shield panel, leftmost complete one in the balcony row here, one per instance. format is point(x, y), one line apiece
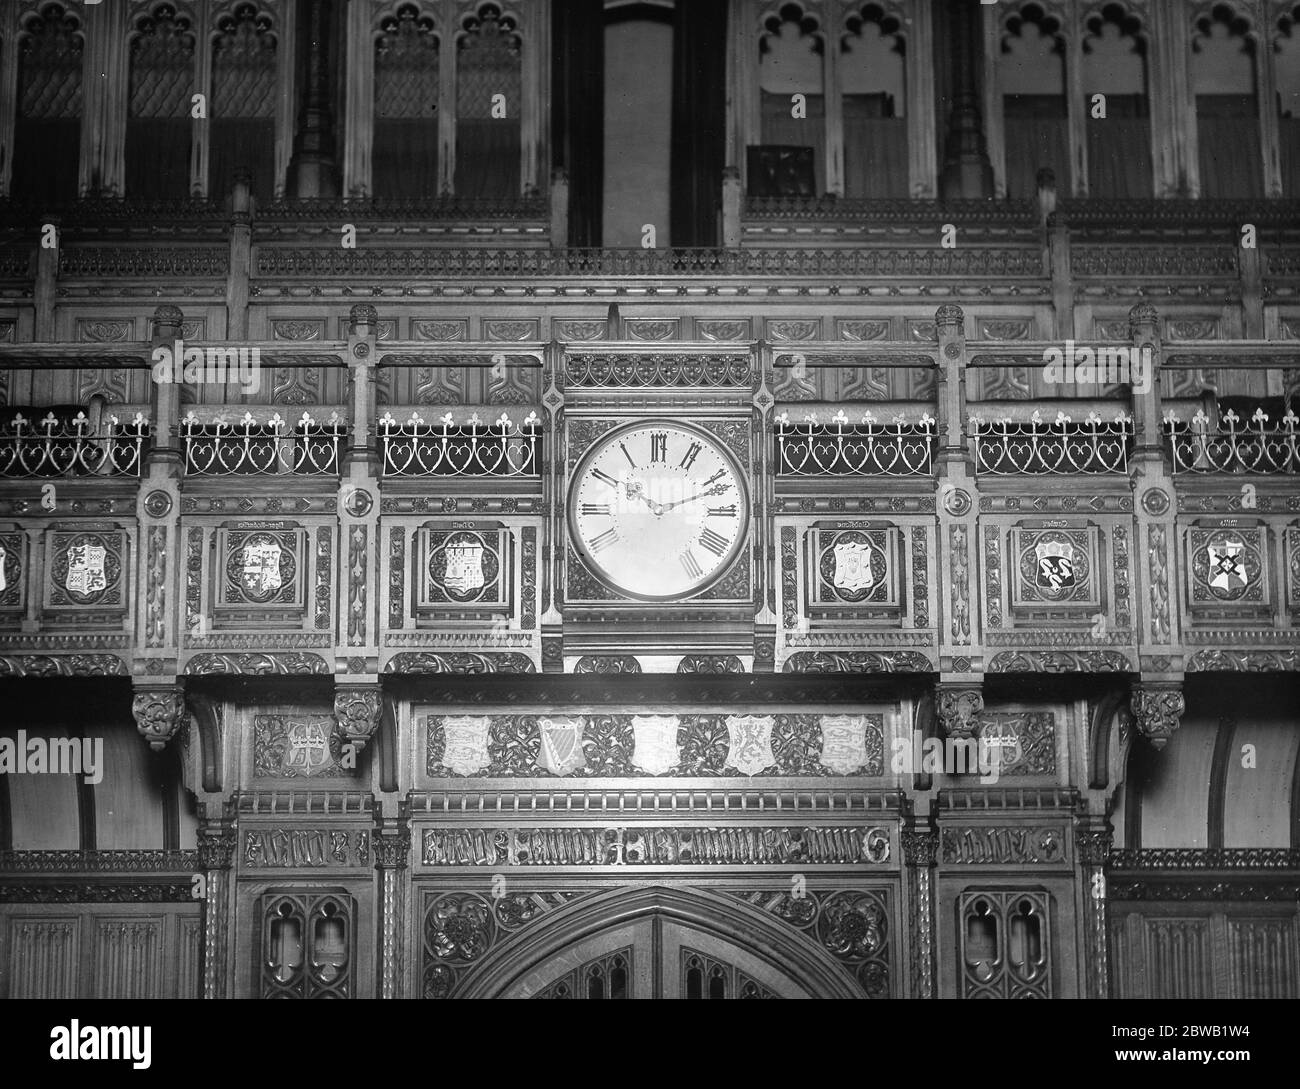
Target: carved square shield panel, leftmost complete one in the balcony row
point(88, 574)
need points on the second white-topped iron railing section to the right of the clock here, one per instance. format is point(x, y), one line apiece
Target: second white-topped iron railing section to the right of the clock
point(1007, 448)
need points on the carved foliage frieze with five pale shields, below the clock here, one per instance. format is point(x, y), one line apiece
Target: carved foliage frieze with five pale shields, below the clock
point(636, 745)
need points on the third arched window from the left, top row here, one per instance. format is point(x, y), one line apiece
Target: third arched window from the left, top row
point(242, 128)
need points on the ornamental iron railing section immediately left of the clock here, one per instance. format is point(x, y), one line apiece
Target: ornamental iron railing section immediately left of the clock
point(469, 449)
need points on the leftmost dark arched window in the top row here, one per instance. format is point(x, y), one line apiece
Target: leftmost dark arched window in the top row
point(47, 128)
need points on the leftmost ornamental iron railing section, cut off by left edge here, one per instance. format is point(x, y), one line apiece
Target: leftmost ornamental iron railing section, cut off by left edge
point(54, 448)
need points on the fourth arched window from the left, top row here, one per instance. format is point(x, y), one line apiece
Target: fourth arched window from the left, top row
point(405, 154)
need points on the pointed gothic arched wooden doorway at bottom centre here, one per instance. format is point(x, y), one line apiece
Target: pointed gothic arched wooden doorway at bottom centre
point(660, 943)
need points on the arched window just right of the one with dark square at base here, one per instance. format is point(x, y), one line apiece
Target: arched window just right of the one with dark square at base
point(872, 75)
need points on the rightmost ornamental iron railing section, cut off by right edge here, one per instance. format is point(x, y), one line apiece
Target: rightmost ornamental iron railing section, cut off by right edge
point(1197, 448)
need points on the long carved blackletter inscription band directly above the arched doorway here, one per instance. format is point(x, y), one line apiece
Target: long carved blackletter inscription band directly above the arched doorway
point(666, 845)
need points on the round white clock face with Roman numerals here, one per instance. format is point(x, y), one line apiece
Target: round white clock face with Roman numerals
point(658, 510)
